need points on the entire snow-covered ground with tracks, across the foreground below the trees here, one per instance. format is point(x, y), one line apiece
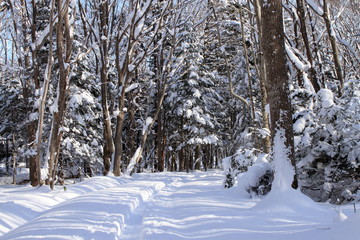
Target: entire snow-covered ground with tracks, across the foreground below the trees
point(167, 206)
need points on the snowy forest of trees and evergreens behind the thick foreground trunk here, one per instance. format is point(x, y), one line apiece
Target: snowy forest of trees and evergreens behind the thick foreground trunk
point(115, 86)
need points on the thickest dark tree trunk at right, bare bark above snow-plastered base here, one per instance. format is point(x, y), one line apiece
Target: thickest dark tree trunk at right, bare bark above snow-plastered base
point(273, 40)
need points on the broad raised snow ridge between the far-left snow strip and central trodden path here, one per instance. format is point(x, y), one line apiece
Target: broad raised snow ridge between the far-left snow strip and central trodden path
point(99, 214)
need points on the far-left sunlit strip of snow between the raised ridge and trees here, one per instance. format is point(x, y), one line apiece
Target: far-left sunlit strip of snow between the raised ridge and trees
point(22, 204)
